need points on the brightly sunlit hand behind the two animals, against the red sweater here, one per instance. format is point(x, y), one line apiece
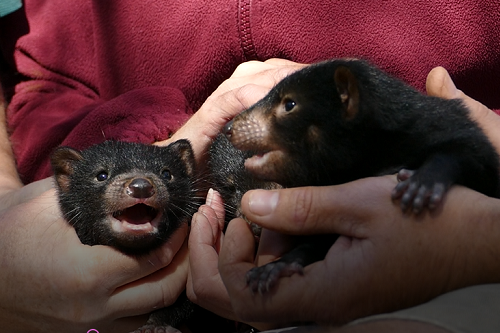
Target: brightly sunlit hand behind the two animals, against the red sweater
point(250, 82)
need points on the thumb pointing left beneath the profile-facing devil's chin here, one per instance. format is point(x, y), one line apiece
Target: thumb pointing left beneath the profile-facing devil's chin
point(342, 209)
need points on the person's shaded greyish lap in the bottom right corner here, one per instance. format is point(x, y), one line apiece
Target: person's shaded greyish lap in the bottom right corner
point(468, 310)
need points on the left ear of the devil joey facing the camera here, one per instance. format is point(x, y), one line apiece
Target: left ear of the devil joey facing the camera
point(63, 160)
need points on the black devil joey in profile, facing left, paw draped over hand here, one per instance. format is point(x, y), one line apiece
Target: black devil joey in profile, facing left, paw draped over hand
point(341, 120)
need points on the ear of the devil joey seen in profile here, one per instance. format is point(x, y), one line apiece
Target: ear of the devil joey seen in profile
point(347, 88)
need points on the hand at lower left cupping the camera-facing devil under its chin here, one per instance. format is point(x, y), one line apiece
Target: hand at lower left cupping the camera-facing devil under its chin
point(50, 282)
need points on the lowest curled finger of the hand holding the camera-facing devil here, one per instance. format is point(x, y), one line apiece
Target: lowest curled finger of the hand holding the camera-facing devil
point(155, 291)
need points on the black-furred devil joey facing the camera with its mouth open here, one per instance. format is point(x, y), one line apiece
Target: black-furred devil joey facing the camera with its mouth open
point(87, 202)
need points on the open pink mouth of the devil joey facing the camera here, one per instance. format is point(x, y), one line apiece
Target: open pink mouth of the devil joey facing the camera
point(137, 219)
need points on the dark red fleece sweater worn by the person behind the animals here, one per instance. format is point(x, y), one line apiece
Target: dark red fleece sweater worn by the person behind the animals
point(136, 70)
